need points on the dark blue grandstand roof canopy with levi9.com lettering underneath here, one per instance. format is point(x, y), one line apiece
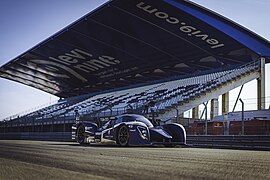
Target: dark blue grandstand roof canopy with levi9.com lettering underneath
point(129, 42)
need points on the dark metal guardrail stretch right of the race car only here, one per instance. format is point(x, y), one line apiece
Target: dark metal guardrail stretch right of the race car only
point(253, 142)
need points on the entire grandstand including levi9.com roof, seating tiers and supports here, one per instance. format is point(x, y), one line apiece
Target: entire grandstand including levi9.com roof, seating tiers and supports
point(101, 67)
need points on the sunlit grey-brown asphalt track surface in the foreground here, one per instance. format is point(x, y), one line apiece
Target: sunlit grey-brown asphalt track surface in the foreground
point(62, 160)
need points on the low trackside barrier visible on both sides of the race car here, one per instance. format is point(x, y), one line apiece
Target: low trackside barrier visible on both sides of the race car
point(260, 142)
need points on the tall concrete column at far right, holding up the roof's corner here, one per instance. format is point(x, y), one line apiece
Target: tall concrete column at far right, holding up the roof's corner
point(261, 86)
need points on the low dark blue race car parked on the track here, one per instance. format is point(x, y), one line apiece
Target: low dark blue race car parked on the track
point(129, 130)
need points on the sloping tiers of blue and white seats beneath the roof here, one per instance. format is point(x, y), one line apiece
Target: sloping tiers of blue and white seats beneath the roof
point(182, 94)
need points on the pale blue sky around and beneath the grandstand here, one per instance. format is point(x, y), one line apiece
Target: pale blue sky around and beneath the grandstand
point(28, 22)
